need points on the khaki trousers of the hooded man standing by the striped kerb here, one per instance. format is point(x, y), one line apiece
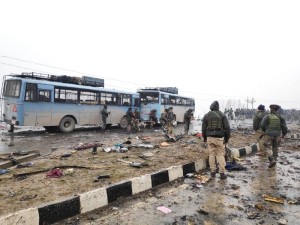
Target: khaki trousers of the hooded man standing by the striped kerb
point(216, 150)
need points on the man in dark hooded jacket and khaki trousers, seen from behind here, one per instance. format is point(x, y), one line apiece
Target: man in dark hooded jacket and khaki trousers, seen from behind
point(216, 132)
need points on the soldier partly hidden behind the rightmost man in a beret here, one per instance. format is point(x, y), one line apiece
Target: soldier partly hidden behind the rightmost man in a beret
point(257, 118)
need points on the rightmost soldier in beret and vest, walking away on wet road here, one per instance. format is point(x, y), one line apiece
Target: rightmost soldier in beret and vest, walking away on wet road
point(274, 128)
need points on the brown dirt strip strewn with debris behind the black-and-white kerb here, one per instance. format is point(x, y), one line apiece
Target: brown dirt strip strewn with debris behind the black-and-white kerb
point(21, 192)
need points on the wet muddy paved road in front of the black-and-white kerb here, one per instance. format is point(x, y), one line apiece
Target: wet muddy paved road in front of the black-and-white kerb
point(237, 200)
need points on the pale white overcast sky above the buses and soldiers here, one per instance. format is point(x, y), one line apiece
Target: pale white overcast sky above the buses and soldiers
point(228, 51)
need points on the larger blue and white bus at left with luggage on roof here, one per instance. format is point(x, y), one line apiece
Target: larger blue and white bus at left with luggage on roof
point(61, 102)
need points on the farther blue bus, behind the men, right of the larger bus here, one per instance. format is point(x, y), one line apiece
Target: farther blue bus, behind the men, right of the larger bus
point(161, 98)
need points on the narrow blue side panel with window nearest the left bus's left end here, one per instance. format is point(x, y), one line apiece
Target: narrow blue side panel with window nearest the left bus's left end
point(30, 104)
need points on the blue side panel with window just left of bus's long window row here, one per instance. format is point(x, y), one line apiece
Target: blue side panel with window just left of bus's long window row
point(44, 105)
